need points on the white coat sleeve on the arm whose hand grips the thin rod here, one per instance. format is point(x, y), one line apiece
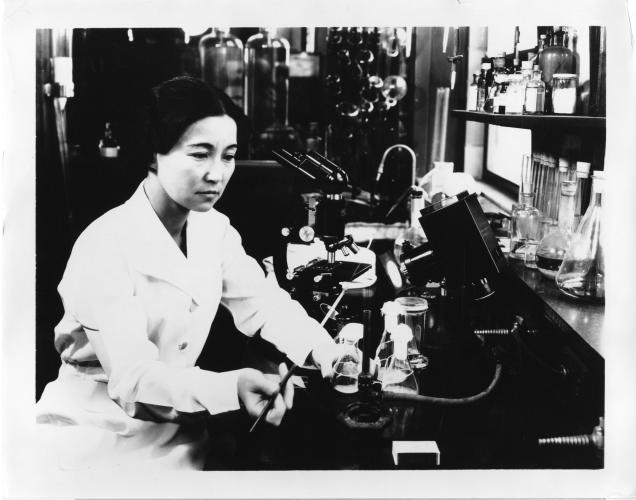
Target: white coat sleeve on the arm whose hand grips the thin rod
point(97, 289)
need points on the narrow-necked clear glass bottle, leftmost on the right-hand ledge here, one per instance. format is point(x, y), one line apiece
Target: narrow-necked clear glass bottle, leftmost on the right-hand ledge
point(525, 219)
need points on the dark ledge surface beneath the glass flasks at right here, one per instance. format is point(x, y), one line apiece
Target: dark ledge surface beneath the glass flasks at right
point(584, 319)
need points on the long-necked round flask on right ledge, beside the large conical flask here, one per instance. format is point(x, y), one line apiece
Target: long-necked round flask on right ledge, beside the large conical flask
point(553, 246)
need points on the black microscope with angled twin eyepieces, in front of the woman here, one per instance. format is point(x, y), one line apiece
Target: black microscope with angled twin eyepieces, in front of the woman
point(317, 283)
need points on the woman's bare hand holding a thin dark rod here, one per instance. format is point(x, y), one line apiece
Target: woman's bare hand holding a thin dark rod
point(255, 389)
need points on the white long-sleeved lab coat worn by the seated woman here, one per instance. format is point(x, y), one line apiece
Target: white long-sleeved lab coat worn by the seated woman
point(140, 311)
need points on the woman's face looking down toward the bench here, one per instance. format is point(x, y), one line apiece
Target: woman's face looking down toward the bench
point(196, 170)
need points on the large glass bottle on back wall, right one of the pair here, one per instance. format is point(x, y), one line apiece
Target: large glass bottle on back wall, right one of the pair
point(266, 91)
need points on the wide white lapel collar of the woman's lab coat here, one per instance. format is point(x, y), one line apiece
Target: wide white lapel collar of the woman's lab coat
point(155, 253)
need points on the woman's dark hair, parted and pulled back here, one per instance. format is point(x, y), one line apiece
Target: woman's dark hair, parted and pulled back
point(178, 103)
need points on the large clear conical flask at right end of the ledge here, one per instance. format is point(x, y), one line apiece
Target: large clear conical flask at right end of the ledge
point(582, 273)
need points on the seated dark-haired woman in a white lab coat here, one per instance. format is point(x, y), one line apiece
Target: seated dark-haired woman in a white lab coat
point(140, 291)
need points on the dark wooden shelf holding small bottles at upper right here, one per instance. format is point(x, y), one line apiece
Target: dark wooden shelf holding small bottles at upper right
point(533, 121)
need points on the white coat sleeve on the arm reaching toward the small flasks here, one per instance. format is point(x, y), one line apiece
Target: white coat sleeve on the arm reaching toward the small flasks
point(257, 303)
